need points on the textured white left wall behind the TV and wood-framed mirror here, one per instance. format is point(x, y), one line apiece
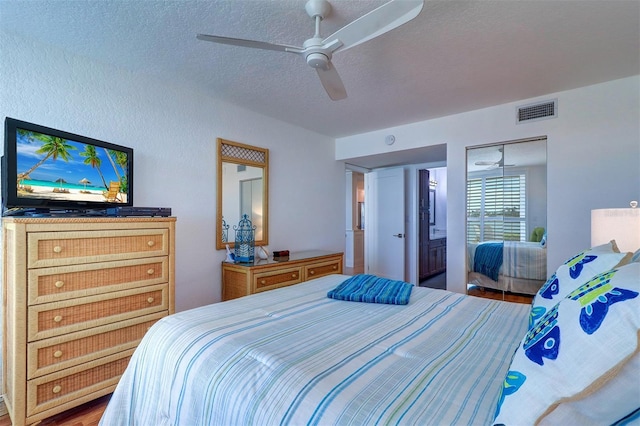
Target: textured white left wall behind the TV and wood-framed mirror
point(173, 132)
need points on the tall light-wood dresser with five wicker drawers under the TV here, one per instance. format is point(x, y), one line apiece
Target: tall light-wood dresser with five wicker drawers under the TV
point(79, 295)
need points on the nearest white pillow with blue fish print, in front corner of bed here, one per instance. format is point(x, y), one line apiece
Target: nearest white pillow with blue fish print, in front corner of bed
point(575, 366)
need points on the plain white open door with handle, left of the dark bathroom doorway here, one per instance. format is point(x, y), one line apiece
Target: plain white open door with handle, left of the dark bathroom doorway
point(384, 229)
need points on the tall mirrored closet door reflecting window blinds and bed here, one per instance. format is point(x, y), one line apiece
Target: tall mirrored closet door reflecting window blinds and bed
point(506, 216)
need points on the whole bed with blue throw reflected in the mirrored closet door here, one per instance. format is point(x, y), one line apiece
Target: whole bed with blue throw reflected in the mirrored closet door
point(523, 268)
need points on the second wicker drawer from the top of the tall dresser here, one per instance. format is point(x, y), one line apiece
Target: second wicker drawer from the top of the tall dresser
point(65, 282)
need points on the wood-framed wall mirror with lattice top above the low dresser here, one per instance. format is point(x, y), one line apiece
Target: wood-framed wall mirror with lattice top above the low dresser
point(243, 188)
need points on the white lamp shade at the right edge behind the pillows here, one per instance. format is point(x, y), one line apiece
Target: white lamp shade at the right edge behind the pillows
point(621, 225)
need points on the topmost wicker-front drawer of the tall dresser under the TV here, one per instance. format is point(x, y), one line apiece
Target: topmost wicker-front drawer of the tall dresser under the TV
point(71, 248)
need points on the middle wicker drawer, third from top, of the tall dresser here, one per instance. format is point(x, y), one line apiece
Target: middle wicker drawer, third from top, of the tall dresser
point(57, 318)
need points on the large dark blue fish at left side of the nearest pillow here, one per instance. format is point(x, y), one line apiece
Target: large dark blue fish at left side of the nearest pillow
point(543, 340)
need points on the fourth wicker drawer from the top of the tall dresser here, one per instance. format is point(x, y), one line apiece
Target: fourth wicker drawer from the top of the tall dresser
point(57, 353)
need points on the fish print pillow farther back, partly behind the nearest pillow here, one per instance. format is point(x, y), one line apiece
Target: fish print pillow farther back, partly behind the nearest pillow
point(572, 274)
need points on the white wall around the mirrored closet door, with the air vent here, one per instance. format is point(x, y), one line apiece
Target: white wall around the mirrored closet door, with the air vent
point(593, 150)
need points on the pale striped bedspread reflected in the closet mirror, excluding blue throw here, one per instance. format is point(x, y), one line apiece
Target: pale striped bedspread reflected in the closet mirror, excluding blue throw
point(522, 259)
